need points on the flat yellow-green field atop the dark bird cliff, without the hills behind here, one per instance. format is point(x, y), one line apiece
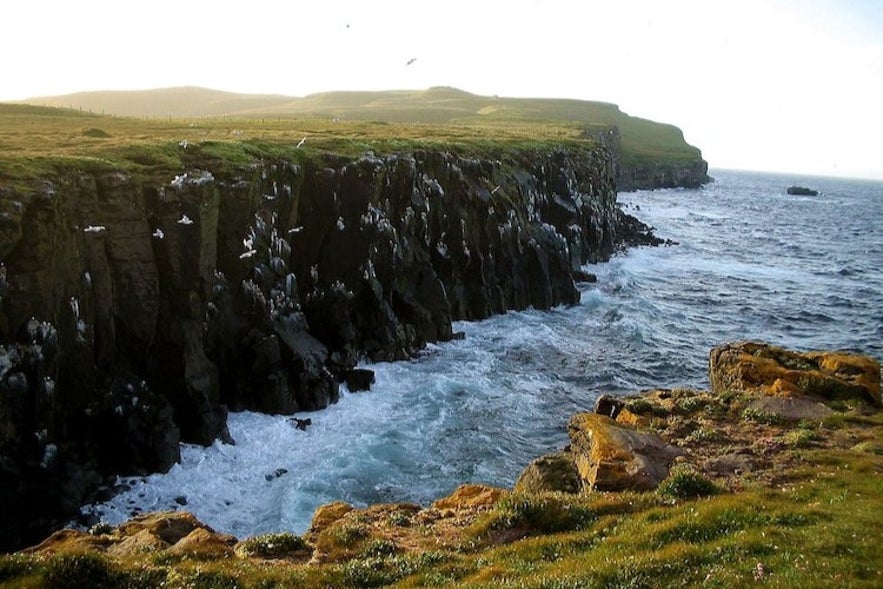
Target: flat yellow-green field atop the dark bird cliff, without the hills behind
point(36, 141)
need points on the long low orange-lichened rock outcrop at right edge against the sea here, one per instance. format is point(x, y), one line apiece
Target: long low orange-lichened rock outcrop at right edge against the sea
point(764, 369)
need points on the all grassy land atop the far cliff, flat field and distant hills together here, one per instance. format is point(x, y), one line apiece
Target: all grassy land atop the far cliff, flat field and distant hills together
point(109, 125)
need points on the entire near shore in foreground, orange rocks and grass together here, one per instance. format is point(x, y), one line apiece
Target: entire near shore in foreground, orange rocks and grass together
point(789, 439)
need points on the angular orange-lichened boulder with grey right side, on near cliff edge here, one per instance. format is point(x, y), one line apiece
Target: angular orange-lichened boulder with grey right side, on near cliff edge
point(614, 457)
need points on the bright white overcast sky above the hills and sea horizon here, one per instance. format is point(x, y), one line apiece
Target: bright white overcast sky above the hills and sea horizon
point(790, 85)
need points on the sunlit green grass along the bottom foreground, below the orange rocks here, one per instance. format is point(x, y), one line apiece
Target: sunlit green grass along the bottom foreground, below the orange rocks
point(819, 528)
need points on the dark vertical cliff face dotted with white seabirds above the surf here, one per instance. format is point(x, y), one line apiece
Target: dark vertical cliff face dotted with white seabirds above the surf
point(134, 312)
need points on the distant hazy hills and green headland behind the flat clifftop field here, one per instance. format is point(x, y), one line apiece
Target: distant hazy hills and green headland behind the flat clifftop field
point(641, 139)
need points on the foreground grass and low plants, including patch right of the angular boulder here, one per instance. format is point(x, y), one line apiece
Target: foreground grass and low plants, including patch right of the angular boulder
point(804, 514)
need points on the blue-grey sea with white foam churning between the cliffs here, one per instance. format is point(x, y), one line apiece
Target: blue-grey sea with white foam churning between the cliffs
point(751, 263)
